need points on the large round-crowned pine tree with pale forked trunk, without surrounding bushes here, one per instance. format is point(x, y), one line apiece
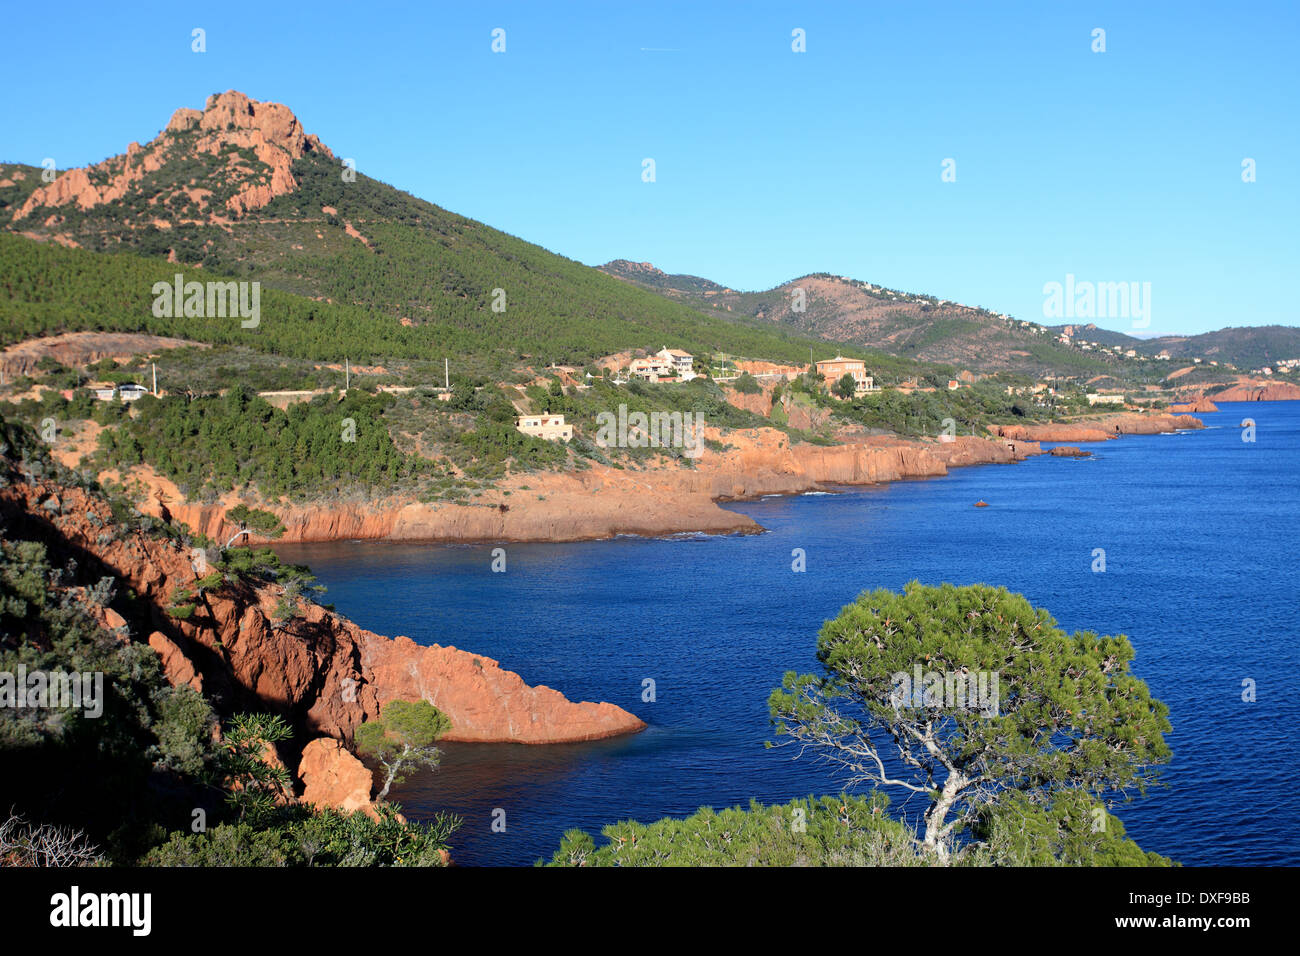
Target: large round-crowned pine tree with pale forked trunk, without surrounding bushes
point(1065, 716)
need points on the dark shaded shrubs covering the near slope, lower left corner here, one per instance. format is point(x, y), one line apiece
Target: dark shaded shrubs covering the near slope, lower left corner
point(158, 769)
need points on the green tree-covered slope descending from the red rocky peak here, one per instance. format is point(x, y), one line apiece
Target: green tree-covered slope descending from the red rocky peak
point(439, 270)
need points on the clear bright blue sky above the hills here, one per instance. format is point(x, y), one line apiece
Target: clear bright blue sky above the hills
point(1124, 166)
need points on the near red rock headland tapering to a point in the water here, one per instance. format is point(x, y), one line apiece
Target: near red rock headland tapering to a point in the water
point(318, 668)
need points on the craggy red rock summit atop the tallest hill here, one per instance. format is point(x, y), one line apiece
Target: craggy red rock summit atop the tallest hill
point(270, 131)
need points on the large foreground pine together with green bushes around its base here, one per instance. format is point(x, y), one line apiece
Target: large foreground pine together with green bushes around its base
point(1020, 780)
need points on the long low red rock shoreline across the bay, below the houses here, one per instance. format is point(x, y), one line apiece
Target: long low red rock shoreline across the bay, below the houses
point(660, 500)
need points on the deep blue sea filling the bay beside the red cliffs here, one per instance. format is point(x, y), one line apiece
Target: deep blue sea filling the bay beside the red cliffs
point(1201, 533)
